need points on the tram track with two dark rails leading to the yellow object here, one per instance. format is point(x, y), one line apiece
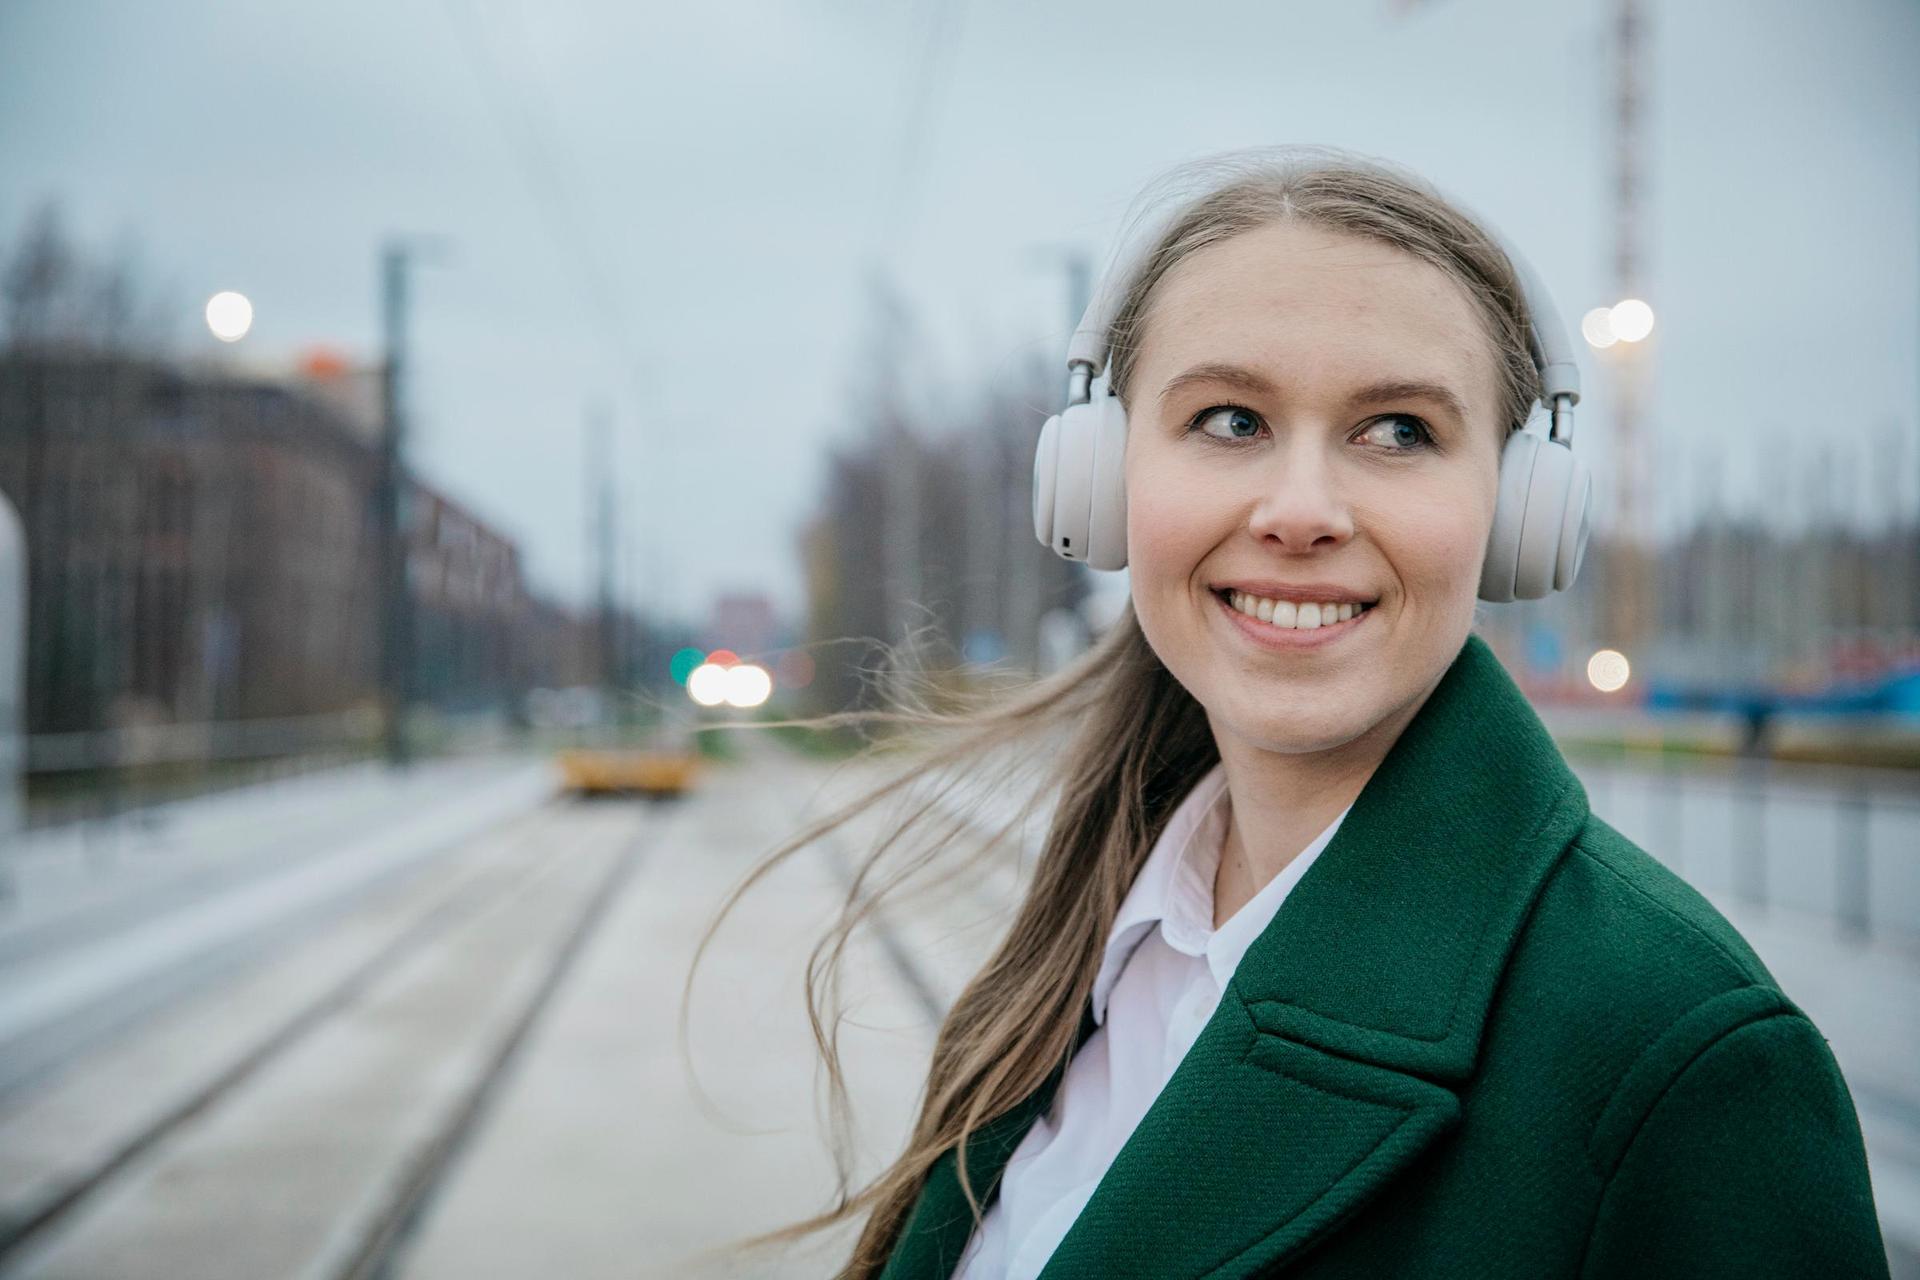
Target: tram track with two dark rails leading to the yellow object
point(548, 903)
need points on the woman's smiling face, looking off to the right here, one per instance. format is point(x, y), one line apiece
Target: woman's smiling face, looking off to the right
point(1314, 417)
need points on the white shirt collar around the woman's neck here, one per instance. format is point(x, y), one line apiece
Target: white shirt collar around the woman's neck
point(1174, 891)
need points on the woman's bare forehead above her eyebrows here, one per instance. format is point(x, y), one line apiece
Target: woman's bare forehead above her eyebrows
point(1303, 302)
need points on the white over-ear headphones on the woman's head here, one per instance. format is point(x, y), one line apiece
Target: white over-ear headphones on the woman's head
point(1547, 494)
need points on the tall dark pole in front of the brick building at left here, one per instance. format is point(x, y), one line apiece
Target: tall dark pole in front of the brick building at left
point(396, 602)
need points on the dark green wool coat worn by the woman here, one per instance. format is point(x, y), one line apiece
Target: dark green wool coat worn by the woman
point(1485, 1037)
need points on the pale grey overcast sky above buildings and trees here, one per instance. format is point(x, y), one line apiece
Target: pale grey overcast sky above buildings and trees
point(675, 208)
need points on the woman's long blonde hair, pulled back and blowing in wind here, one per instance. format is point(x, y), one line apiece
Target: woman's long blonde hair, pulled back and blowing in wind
point(1138, 742)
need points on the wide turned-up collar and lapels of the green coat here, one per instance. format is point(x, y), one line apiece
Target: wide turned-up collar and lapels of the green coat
point(1337, 1053)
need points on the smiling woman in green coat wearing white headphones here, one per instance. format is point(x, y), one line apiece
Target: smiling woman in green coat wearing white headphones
point(1326, 966)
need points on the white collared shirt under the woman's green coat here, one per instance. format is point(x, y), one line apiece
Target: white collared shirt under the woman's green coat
point(1161, 980)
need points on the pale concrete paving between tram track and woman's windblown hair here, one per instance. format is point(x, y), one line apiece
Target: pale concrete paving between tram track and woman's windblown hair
point(606, 1156)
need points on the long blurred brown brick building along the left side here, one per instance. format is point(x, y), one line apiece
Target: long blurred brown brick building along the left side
point(203, 548)
